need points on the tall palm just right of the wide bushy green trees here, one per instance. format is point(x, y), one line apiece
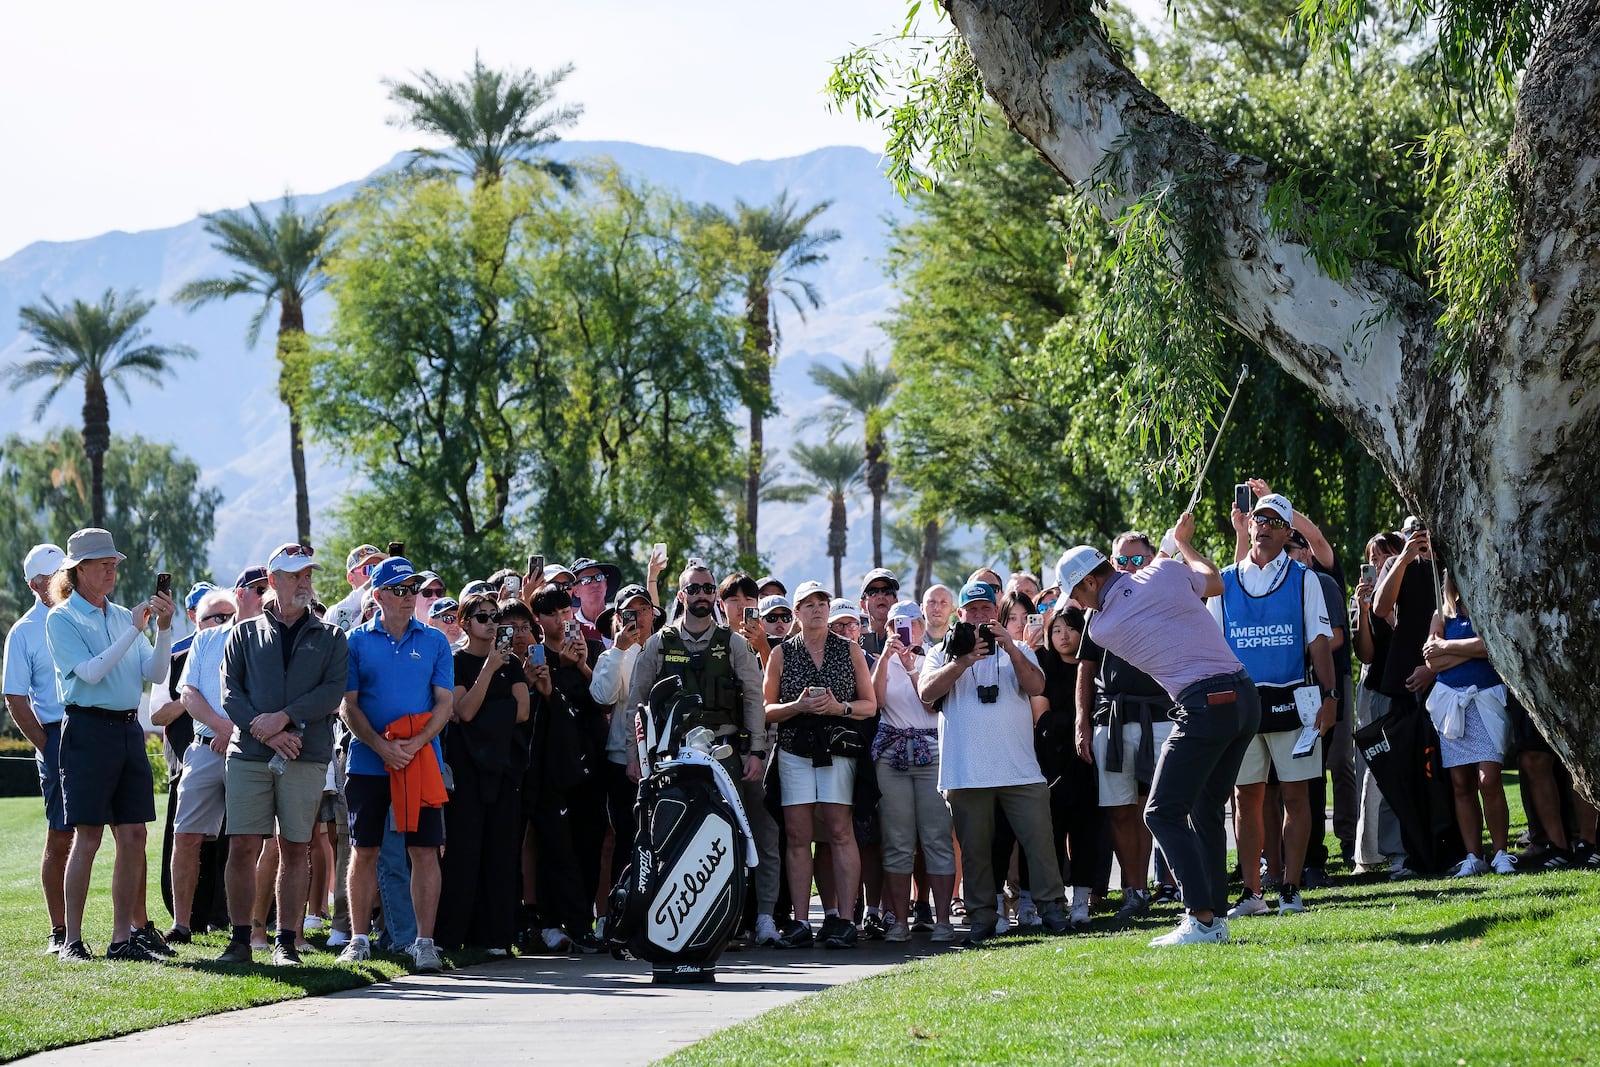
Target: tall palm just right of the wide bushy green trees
point(782, 252)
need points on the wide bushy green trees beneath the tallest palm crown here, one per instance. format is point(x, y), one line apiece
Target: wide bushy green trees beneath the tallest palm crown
point(511, 369)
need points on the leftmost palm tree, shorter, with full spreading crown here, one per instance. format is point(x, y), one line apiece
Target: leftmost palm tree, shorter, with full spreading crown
point(105, 346)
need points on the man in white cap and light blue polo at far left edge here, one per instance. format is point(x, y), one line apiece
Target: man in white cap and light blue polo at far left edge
point(36, 708)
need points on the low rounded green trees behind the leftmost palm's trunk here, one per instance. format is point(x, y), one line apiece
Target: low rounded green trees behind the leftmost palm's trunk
point(156, 510)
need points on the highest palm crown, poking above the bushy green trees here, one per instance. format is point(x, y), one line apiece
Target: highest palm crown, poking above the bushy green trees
point(490, 119)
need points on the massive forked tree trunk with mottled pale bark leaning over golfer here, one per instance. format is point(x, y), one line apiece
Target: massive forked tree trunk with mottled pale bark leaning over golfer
point(1498, 463)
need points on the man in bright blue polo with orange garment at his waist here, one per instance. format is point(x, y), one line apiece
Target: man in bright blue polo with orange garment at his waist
point(399, 669)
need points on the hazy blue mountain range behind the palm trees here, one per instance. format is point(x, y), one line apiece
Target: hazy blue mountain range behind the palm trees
point(223, 410)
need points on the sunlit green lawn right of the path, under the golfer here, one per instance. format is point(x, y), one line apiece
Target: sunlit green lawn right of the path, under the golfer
point(1494, 970)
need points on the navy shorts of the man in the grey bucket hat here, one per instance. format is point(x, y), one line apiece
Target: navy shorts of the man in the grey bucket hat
point(105, 772)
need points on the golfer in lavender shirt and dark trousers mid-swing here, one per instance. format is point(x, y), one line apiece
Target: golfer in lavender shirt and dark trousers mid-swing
point(1156, 620)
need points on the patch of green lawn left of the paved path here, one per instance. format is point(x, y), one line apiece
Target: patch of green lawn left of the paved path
point(46, 1004)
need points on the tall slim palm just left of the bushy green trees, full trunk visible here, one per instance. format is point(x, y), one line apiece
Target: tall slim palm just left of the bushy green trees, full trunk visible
point(279, 262)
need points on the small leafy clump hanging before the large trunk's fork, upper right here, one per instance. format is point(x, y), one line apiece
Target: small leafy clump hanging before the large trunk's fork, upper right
point(1473, 236)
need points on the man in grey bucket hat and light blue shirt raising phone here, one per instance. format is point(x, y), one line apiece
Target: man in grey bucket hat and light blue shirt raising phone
point(103, 661)
